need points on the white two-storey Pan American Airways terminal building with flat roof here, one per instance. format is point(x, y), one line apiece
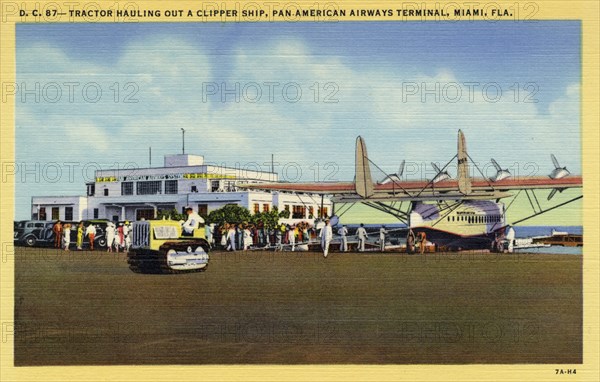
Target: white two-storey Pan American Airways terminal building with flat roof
point(118, 194)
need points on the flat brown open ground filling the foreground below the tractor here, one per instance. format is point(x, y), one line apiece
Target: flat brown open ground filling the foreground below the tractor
point(84, 308)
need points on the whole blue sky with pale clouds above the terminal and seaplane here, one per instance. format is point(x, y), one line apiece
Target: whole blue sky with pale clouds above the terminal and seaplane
point(370, 64)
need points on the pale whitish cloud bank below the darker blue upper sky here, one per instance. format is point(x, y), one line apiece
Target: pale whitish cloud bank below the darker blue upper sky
point(170, 73)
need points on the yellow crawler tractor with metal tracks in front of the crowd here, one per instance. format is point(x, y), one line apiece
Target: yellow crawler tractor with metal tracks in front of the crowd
point(159, 246)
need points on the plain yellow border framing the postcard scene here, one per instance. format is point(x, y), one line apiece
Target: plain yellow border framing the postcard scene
point(587, 11)
